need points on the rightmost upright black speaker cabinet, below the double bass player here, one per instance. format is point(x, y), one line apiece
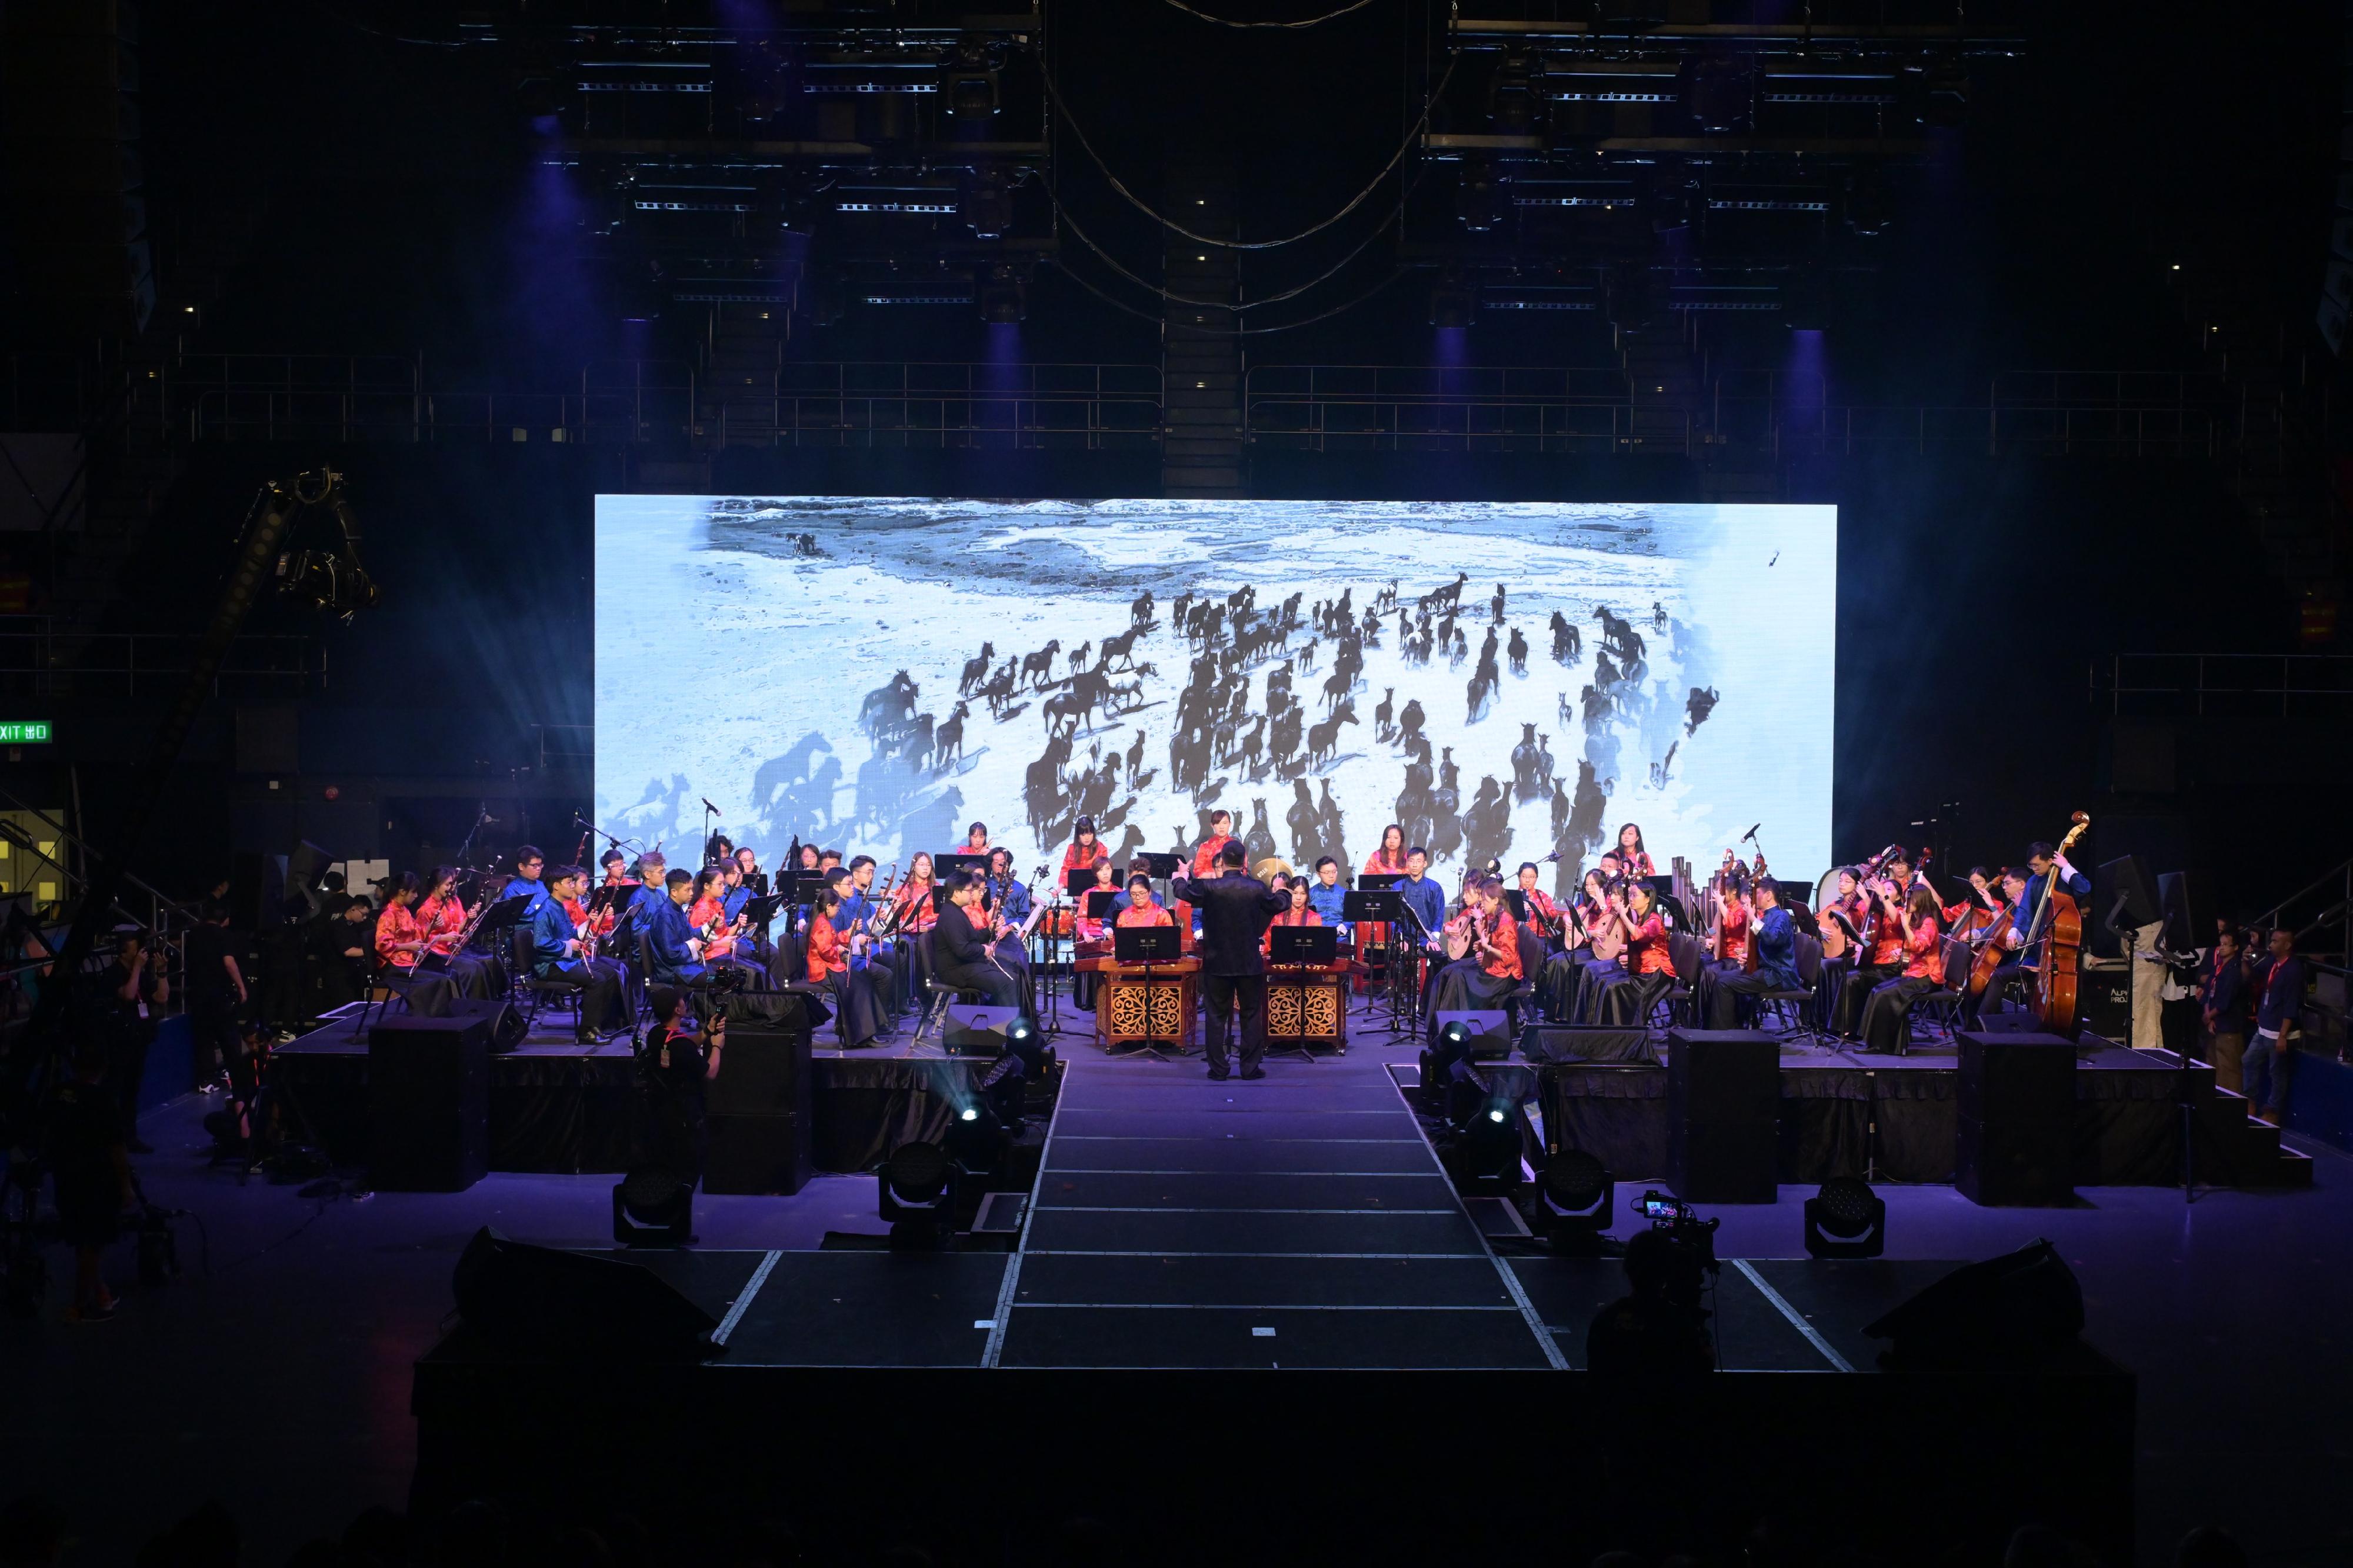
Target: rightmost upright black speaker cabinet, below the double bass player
point(2015, 1115)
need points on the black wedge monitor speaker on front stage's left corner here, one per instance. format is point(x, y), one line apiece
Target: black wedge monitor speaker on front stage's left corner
point(573, 1305)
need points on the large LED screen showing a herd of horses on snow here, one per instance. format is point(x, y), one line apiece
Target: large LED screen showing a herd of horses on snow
point(1505, 679)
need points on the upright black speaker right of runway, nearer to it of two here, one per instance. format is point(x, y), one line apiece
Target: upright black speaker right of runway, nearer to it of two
point(1724, 1108)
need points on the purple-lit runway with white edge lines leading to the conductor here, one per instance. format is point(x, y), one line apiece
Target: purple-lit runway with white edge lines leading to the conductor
point(1298, 1221)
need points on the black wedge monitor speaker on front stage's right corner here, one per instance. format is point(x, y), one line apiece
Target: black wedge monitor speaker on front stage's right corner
point(2004, 1313)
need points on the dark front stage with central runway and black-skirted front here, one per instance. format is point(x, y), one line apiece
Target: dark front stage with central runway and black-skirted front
point(1185, 1242)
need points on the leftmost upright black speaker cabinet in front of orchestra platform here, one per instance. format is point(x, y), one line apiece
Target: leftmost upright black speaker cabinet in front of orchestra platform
point(429, 1103)
